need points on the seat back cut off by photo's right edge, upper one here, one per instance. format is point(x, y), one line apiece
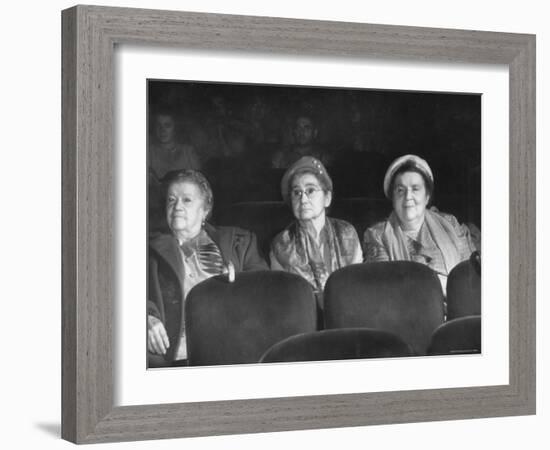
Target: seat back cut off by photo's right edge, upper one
point(463, 291)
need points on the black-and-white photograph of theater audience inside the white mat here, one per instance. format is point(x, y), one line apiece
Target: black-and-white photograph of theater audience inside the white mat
point(306, 223)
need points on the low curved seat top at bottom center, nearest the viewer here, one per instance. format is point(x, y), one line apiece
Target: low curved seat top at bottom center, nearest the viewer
point(343, 343)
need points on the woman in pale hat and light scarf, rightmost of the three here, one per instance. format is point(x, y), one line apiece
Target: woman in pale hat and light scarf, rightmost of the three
point(414, 232)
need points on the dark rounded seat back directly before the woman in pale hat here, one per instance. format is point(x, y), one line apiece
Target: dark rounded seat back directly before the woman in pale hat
point(401, 297)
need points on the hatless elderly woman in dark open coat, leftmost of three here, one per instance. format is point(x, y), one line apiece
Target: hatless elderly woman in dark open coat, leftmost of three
point(193, 251)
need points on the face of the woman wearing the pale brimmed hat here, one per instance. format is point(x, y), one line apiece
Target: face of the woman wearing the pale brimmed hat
point(410, 197)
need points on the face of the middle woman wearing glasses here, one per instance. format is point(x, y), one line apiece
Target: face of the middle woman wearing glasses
point(308, 198)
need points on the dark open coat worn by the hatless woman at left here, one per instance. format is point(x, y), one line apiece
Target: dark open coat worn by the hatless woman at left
point(165, 284)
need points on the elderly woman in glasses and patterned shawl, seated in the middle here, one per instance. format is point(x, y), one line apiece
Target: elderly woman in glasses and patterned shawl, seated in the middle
point(314, 245)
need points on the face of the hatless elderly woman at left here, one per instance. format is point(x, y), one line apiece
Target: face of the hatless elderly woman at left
point(185, 208)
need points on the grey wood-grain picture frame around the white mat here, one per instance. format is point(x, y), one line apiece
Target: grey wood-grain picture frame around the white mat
point(89, 35)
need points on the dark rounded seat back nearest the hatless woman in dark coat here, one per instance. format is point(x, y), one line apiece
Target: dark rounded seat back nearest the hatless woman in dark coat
point(231, 323)
